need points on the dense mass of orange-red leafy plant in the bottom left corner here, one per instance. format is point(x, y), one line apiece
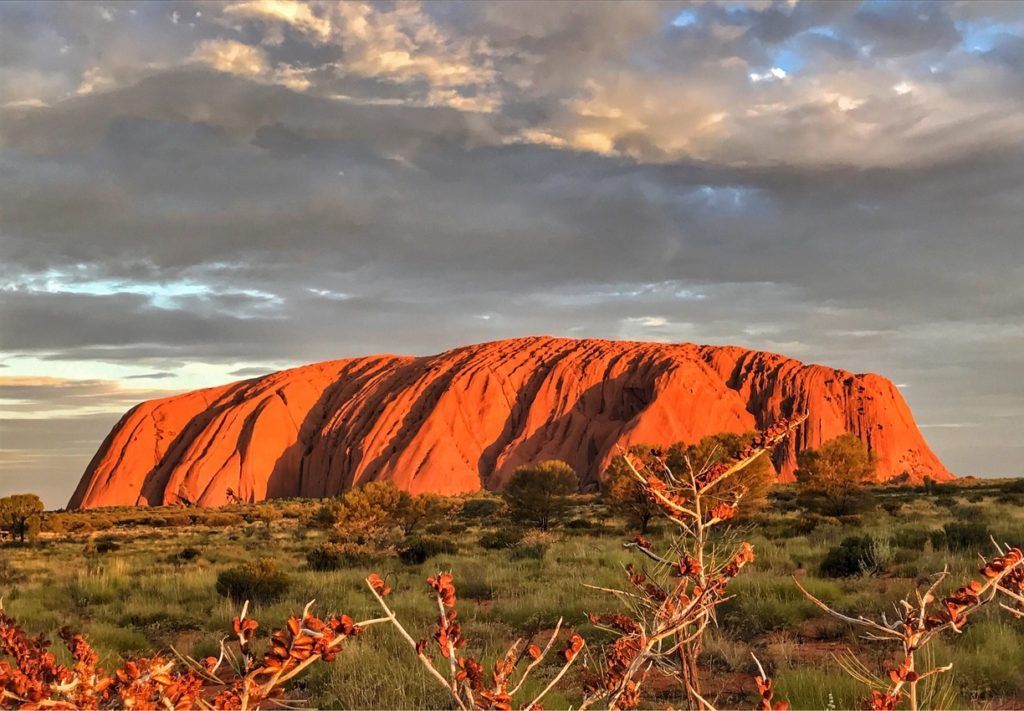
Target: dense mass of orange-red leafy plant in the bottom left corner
point(32, 678)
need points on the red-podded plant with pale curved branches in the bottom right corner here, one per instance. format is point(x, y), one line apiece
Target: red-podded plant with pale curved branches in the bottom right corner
point(925, 619)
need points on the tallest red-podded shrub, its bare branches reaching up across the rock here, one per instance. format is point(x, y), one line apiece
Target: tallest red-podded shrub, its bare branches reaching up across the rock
point(671, 606)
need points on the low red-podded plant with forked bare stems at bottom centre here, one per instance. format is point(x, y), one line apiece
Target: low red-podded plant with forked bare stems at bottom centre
point(465, 680)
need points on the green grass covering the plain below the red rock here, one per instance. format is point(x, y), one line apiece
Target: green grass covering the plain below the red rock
point(142, 598)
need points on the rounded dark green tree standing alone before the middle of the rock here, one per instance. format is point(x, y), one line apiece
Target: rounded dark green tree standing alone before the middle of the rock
point(540, 493)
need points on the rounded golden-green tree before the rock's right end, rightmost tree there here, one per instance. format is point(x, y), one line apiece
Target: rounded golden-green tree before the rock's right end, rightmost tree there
point(837, 472)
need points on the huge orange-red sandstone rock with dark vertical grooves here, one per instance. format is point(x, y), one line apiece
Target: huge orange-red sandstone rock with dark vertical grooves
point(463, 421)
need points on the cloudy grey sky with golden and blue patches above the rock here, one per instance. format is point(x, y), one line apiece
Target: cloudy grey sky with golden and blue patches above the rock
point(199, 193)
